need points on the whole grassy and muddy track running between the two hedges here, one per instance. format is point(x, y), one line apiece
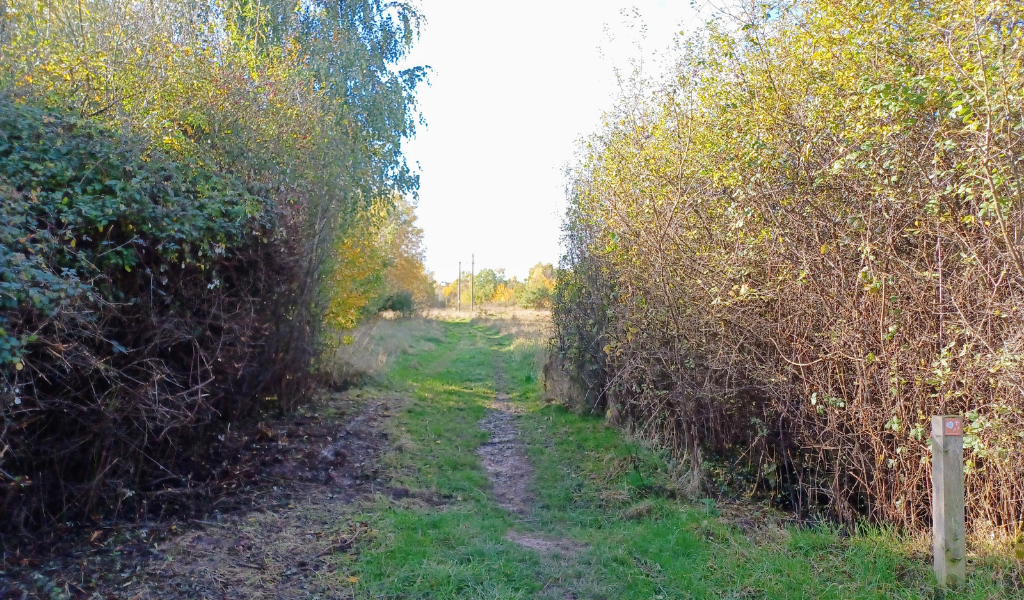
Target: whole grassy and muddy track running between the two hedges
point(452, 478)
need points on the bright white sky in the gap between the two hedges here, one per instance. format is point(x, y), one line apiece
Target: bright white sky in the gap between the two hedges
point(514, 87)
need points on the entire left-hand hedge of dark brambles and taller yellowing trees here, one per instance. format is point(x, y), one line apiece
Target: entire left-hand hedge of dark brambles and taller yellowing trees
point(180, 182)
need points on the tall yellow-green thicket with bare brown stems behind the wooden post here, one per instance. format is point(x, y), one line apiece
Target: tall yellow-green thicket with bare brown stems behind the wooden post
point(793, 251)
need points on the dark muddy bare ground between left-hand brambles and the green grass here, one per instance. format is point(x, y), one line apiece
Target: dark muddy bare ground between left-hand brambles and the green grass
point(277, 525)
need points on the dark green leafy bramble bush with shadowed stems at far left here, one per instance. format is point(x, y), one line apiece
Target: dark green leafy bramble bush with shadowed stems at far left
point(132, 286)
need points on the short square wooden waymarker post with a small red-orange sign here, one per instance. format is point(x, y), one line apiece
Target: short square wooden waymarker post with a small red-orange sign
point(949, 524)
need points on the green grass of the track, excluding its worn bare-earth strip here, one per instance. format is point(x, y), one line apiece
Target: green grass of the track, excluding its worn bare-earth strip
point(594, 487)
